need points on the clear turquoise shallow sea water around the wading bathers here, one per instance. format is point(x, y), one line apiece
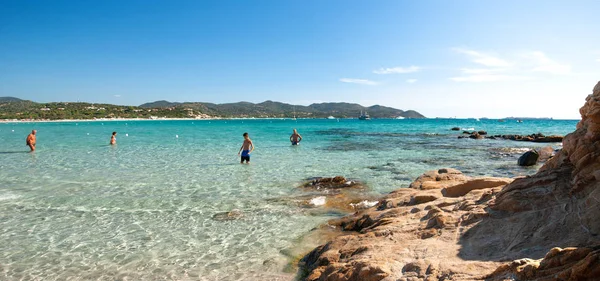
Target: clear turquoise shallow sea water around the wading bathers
point(145, 209)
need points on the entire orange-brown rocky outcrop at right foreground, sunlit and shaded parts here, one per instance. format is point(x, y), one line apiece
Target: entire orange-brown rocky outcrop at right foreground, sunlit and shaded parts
point(451, 227)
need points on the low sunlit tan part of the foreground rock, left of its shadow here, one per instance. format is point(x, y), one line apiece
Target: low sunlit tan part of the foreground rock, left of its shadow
point(405, 226)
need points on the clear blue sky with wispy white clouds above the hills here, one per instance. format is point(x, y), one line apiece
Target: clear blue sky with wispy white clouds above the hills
point(464, 58)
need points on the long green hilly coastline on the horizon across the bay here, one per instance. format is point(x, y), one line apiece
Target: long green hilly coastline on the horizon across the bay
point(14, 108)
